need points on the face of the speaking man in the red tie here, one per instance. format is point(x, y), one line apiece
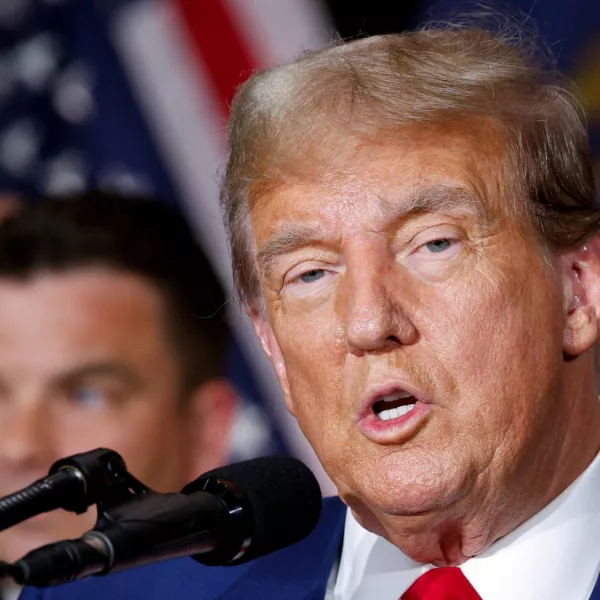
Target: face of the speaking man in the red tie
point(417, 333)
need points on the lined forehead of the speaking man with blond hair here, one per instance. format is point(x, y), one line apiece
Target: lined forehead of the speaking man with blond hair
point(426, 170)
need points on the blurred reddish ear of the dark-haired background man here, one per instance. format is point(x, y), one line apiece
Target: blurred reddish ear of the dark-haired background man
point(210, 414)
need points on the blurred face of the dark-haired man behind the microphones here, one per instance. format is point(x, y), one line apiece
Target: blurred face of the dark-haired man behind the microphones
point(85, 362)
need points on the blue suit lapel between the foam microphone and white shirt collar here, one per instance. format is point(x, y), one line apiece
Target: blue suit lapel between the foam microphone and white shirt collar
point(299, 572)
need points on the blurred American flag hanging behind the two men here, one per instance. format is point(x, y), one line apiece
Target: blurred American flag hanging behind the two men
point(132, 96)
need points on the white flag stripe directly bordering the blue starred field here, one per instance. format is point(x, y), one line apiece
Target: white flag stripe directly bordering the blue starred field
point(179, 105)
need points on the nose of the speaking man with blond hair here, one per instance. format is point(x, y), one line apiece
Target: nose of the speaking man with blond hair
point(373, 313)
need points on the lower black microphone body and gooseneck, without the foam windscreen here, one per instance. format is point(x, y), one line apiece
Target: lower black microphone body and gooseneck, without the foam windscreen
point(209, 520)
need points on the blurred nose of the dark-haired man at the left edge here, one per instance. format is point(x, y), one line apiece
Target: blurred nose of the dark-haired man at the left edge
point(25, 437)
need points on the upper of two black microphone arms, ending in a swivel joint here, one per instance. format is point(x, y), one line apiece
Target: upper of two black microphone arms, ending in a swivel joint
point(73, 483)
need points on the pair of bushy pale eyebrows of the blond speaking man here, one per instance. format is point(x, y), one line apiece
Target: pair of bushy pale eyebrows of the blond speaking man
point(422, 200)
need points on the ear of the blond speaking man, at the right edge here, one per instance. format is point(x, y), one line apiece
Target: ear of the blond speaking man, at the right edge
point(581, 283)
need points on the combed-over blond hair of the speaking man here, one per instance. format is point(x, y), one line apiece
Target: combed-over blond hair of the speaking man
point(290, 119)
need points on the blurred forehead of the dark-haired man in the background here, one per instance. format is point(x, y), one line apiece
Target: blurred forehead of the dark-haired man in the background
point(79, 311)
